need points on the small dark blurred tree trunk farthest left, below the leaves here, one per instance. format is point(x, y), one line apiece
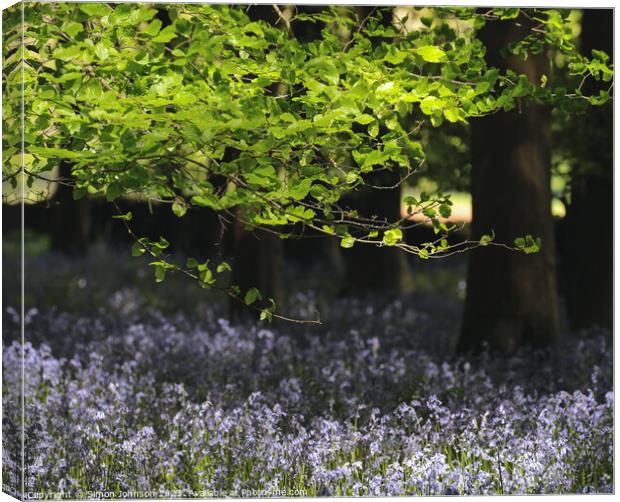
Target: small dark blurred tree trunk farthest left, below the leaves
point(70, 220)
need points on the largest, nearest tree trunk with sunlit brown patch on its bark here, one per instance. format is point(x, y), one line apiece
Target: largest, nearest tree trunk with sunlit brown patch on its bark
point(511, 297)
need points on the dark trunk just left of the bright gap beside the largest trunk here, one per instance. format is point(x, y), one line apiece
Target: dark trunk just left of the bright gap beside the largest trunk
point(369, 268)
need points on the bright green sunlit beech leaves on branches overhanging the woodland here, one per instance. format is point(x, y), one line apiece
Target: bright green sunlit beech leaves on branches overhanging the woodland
point(218, 110)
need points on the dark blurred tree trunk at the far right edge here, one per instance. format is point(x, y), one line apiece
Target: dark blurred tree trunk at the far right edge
point(589, 217)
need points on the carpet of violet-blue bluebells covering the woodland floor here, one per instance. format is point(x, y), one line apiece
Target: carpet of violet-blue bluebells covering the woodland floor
point(127, 397)
